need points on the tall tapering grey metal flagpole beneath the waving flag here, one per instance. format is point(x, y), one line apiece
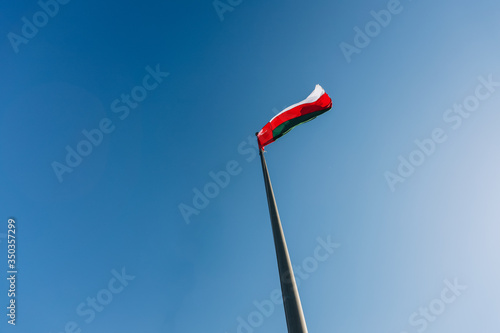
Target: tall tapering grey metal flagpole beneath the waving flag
point(295, 320)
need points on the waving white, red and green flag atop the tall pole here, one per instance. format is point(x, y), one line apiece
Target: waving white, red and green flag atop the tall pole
point(316, 103)
